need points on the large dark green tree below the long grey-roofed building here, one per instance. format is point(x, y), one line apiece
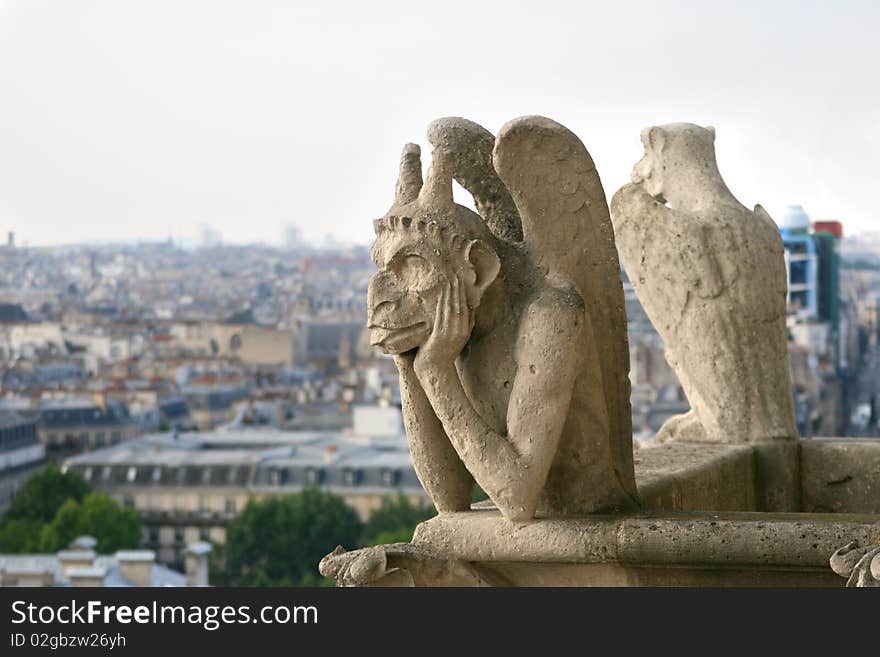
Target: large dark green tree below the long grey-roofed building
point(279, 541)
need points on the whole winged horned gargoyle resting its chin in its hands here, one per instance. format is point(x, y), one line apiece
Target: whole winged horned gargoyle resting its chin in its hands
point(512, 354)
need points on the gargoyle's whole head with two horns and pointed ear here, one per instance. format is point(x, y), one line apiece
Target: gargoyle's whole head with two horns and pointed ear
point(422, 243)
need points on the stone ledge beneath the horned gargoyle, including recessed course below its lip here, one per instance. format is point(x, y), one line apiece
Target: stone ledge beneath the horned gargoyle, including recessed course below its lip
point(662, 549)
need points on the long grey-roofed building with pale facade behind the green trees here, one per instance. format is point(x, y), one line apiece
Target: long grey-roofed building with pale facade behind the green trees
point(188, 487)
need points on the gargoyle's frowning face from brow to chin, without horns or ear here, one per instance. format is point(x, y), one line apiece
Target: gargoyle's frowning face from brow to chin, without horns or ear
point(402, 296)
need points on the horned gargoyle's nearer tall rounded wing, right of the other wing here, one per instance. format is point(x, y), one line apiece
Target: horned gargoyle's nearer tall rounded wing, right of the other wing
point(567, 230)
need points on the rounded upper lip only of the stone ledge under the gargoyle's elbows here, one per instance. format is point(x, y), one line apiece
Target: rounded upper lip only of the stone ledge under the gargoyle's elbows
point(728, 539)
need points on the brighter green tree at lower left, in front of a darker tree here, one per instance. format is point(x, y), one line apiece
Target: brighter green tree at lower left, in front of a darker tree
point(99, 515)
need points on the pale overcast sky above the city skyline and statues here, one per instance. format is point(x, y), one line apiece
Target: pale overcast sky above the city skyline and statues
point(131, 119)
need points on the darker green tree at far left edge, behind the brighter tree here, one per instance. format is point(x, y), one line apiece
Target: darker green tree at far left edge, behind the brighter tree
point(35, 505)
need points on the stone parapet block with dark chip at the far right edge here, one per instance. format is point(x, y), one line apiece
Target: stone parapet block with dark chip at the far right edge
point(840, 475)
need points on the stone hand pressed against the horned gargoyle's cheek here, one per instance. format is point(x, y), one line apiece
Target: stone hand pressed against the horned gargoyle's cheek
point(452, 328)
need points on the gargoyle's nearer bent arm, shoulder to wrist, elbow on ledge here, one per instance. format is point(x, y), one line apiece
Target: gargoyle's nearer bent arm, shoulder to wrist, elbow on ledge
point(513, 468)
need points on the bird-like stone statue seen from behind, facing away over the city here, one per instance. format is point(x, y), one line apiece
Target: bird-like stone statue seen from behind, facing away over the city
point(710, 274)
